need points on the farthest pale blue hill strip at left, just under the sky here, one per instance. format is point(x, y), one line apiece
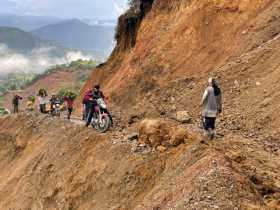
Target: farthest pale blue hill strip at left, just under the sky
point(27, 23)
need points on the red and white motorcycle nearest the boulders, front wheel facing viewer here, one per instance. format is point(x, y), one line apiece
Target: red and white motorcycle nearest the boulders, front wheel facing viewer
point(101, 119)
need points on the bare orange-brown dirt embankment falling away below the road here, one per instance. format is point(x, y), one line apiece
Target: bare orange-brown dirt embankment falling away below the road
point(57, 165)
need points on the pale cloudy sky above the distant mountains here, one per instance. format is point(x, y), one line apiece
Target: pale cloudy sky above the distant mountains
point(65, 8)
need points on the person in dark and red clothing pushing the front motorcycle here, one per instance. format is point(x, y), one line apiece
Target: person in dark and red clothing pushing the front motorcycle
point(96, 94)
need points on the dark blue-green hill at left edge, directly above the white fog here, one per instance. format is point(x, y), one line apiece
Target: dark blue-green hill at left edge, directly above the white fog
point(19, 40)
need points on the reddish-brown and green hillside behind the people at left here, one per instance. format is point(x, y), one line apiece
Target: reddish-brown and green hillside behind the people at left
point(71, 77)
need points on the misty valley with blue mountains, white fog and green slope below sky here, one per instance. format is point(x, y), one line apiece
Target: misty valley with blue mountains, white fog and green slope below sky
point(31, 47)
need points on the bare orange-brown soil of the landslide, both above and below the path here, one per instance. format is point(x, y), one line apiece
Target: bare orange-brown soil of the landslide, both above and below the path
point(160, 66)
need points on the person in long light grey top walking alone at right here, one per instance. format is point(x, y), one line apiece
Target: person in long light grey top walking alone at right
point(211, 106)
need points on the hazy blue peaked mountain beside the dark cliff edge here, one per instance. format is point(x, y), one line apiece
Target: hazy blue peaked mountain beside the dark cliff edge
point(76, 34)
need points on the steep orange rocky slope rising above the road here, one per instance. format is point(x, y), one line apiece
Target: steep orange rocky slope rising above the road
point(169, 49)
